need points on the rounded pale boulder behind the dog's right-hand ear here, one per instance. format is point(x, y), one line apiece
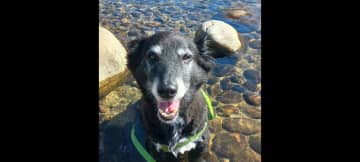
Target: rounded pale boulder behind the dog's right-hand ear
point(221, 37)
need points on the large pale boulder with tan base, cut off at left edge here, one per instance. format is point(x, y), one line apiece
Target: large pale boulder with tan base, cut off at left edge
point(112, 61)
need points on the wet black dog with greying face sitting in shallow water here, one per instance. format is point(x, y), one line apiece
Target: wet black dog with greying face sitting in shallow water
point(169, 70)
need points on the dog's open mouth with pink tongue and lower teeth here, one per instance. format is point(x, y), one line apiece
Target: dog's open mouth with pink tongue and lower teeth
point(168, 109)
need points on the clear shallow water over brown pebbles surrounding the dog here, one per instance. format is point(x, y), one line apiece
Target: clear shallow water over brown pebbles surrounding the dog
point(233, 83)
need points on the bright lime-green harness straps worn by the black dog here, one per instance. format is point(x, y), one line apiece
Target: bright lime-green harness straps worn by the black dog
point(149, 158)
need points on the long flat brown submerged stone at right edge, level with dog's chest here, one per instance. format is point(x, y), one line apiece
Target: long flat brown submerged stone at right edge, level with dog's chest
point(241, 125)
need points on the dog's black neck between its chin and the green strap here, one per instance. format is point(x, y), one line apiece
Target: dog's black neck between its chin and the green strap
point(191, 119)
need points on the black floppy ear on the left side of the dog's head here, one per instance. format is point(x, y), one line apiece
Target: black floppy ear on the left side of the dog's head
point(134, 53)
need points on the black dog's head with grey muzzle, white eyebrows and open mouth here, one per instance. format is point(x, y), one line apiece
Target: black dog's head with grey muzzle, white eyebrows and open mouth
point(169, 69)
